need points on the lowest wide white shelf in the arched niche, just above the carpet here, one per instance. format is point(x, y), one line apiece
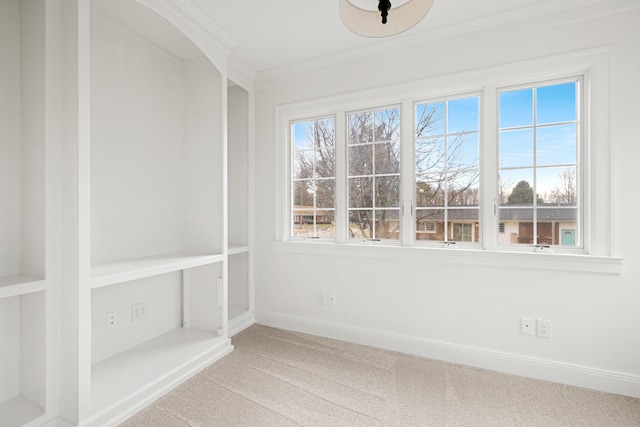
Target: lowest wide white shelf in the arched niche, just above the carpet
point(150, 365)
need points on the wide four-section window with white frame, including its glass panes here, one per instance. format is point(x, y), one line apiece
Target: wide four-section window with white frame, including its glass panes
point(472, 160)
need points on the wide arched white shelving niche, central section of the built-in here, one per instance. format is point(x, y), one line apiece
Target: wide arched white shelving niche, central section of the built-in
point(157, 235)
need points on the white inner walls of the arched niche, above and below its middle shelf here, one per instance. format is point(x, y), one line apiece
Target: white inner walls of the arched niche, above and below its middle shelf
point(155, 180)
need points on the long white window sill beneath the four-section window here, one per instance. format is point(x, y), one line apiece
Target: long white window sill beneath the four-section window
point(529, 260)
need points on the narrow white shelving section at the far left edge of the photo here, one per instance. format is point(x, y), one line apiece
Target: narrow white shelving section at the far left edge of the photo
point(23, 214)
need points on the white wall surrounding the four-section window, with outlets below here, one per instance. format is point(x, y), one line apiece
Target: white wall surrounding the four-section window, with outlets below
point(468, 313)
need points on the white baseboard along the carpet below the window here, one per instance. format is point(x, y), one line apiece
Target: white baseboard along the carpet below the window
point(549, 370)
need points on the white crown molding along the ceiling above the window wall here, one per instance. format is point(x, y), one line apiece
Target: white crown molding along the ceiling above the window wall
point(540, 15)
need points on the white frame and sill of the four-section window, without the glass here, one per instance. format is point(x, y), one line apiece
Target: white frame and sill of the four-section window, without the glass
point(598, 254)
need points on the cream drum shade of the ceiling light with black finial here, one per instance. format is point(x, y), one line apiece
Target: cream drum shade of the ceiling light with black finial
point(368, 23)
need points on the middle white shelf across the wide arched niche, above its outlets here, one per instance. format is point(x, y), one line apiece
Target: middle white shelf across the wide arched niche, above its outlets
point(123, 271)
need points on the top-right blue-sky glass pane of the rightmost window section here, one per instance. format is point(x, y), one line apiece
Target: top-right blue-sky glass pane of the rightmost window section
point(556, 103)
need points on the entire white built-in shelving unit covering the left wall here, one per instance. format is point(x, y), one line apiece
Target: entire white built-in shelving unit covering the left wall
point(118, 233)
